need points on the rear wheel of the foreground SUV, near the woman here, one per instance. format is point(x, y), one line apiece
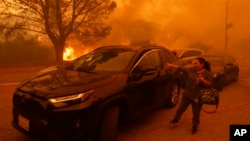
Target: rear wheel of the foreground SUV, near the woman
point(173, 93)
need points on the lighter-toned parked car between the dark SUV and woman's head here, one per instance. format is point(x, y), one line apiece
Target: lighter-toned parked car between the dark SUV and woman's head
point(186, 55)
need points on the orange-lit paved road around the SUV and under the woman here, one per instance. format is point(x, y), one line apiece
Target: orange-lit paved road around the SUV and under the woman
point(234, 109)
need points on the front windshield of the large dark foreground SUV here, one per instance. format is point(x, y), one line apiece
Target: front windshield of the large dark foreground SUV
point(114, 60)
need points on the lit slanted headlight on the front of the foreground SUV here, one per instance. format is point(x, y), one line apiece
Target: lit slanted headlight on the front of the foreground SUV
point(60, 102)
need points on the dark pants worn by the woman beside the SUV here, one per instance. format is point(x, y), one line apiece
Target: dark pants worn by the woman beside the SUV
point(196, 109)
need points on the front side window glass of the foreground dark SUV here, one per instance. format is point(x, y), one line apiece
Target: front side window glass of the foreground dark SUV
point(151, 58)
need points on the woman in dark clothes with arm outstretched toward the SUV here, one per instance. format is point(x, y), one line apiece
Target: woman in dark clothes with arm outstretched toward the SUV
point(196, 78)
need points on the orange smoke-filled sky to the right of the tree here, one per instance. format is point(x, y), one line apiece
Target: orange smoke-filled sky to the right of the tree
point(179, 23)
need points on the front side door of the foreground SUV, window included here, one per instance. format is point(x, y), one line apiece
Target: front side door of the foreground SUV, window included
point(143, 81)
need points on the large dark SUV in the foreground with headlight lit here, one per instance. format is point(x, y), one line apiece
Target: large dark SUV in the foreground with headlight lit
point(86, 98)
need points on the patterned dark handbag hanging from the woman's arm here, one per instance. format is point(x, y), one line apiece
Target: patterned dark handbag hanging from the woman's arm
point(209, 96)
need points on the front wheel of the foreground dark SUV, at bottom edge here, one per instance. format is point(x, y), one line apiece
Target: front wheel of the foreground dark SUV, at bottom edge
point(109, 123)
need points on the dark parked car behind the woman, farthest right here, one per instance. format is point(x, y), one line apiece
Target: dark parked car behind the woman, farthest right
point(225, 69)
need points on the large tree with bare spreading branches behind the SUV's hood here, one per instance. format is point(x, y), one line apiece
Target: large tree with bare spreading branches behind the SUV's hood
point(56, 18)
